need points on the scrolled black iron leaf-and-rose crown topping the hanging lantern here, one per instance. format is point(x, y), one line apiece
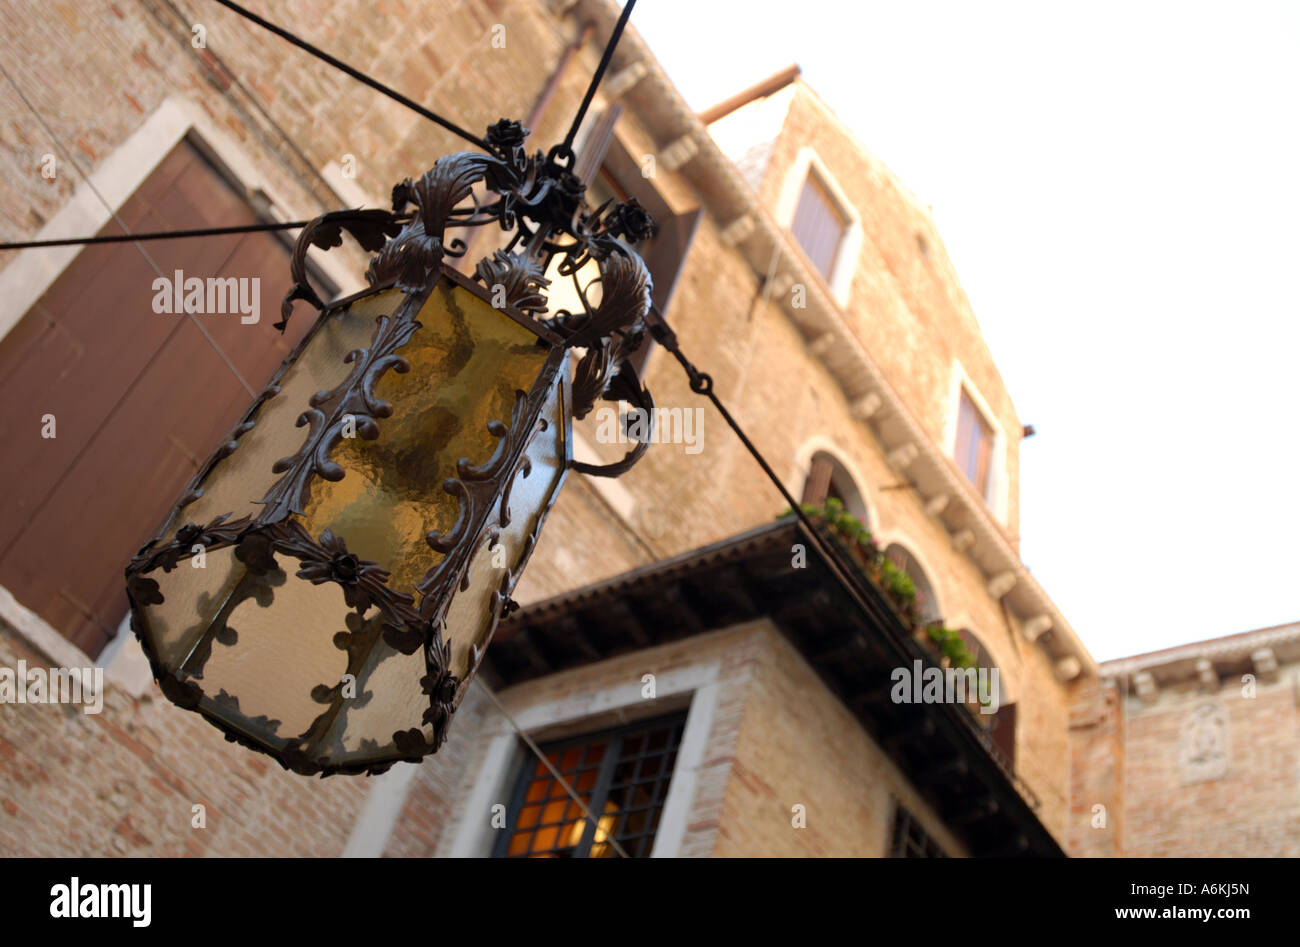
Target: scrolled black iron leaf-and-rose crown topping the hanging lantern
point(543, 202)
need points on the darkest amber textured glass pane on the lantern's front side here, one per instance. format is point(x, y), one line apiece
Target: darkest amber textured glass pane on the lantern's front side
point(467, 362)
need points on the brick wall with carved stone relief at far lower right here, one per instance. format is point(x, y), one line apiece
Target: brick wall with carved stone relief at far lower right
point(1195, 772)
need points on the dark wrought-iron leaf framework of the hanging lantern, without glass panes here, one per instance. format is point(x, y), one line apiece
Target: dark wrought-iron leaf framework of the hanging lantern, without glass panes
point(541, 202)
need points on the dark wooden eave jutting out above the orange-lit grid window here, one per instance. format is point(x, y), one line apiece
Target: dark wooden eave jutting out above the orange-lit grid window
point(843, 625)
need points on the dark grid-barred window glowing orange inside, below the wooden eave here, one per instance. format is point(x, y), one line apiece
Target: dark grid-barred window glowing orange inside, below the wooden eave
point(622, 777)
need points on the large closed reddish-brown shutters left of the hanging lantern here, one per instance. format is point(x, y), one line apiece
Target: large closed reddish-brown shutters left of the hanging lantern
point(140, 399)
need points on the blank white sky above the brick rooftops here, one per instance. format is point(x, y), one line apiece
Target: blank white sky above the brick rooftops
point(1117, 187)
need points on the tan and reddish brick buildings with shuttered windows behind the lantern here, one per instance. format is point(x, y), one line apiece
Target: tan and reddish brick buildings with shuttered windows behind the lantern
point(800, 274)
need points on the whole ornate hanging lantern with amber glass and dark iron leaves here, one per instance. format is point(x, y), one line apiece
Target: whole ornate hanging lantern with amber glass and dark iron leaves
point(327, 598)
